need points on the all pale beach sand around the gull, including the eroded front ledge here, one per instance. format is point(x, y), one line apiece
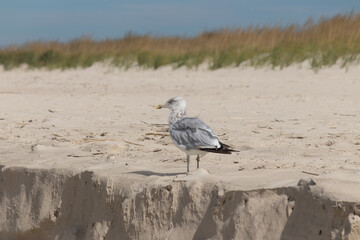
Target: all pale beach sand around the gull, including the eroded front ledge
point(85, 154)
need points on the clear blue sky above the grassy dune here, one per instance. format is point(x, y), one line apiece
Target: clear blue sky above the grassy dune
point(23, 20)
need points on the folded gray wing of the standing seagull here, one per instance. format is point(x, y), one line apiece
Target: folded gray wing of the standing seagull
point(193, 133)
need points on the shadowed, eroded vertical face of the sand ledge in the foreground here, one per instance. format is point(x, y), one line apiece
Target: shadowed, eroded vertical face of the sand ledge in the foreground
point(59, 204)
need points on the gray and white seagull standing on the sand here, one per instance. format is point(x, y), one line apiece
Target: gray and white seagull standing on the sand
point(190, 134)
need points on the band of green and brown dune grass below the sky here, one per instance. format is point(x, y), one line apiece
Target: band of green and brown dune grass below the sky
point(323, 43)
